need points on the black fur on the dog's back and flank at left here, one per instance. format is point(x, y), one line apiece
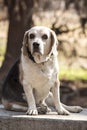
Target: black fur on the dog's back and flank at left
point(12, 89)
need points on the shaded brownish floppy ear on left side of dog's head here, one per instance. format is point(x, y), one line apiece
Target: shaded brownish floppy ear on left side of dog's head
point(25, 43)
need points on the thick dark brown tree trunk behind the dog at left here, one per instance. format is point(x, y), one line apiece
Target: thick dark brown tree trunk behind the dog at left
point(20, 20)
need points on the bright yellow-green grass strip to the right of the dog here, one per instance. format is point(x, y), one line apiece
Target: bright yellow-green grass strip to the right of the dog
point(73, 73)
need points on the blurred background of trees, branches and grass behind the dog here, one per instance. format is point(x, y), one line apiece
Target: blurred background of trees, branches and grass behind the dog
point(68, 18)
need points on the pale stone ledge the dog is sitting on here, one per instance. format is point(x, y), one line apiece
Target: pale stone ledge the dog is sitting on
point(10, 120)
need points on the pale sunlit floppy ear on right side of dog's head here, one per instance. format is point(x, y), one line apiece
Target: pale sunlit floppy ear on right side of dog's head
point(54, 43)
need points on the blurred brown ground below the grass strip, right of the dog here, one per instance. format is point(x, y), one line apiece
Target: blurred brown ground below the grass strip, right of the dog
point(74, 92)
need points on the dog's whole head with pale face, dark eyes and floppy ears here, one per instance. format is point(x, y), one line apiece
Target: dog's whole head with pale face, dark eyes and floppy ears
point(41, 43)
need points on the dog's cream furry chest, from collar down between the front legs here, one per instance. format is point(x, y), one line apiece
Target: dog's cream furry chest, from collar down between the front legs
point(41, 77)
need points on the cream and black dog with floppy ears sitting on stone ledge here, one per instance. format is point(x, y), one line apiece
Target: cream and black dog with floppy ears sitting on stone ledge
point(32, 84)
